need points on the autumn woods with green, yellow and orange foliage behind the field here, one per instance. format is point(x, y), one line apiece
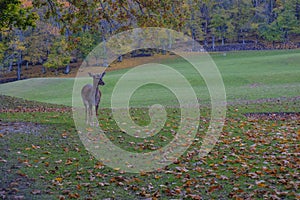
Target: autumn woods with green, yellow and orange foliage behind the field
point(53, 32)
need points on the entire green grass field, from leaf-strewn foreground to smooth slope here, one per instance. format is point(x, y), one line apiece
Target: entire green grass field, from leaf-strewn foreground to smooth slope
point(256, 156)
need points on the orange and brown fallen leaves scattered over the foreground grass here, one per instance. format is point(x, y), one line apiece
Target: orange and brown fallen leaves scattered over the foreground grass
point(257, 156)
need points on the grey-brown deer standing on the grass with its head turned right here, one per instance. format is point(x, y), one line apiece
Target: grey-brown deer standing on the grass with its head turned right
point(91, 95)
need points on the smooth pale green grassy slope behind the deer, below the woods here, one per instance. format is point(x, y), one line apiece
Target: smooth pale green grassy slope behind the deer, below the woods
point(246, 75)
